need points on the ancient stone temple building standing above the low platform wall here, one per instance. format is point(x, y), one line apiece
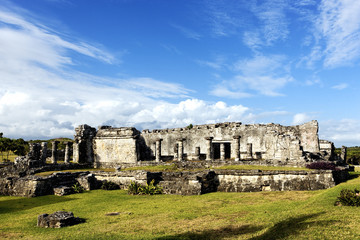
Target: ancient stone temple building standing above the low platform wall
point(108, 146)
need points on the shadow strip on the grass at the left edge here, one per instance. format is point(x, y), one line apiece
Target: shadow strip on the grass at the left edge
point(21, 204)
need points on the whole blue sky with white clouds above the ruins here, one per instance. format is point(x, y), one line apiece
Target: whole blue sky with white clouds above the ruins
point(161, 64)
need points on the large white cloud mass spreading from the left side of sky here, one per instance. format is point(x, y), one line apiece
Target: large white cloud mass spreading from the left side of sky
point(41, 96)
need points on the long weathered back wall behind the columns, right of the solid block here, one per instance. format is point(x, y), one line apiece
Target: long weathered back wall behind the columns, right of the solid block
point(270, 141)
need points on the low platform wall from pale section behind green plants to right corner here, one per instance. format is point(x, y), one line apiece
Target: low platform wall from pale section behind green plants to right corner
point(199, 182)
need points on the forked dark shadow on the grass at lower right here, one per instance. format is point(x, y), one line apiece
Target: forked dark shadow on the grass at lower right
point(292, 226)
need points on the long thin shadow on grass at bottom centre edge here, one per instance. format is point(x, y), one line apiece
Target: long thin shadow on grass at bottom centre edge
point(215, 233)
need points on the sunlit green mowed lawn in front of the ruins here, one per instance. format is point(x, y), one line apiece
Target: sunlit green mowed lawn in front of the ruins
point(259, 215)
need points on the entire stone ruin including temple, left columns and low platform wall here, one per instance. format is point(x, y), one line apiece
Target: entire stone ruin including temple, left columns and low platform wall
point(195, 150)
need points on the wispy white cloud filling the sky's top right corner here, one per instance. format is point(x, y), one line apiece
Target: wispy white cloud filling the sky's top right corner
point(337, 33)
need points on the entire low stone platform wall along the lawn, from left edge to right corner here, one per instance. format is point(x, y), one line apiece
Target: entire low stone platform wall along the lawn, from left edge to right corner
point(183, 183)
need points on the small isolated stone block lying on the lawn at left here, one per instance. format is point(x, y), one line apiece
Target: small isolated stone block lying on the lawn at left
point(58, 219)
